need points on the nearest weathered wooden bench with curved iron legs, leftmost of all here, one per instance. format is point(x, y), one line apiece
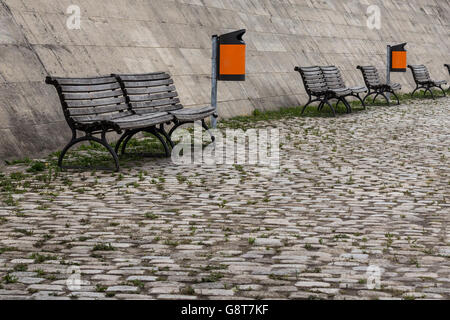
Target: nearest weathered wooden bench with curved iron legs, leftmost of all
point(97, 106)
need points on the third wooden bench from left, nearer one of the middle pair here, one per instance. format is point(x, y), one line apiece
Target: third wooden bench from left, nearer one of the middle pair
point(318, 91)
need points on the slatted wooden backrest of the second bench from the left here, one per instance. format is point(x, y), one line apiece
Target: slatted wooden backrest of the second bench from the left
point(151, 92)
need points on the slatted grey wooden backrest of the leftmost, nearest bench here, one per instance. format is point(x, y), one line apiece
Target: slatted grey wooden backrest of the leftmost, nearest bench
point(88, 100)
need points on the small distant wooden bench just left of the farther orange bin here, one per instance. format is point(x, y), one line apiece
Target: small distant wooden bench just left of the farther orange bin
point(376, 86)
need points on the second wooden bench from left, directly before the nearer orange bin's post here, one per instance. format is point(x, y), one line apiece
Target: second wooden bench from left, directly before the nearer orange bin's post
point(152, 93)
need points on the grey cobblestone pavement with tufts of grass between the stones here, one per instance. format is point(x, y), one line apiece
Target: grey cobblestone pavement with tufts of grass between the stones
point(359, 210)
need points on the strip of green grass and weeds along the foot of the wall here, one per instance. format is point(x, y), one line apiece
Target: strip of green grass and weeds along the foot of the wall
point(92, 155)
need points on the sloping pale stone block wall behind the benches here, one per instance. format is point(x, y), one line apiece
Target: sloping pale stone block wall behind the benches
point(174, 35)
